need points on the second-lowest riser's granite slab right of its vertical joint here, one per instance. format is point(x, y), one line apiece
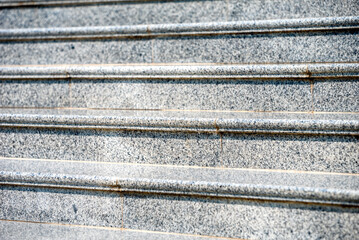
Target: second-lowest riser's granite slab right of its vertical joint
point(306, 153)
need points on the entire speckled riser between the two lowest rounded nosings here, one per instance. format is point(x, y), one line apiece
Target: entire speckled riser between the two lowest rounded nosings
point(291, 152)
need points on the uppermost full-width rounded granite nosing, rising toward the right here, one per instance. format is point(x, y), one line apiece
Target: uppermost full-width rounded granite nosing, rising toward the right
point(191, 29)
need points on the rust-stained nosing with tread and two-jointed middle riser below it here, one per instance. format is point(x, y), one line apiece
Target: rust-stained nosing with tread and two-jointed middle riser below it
point(268, 87)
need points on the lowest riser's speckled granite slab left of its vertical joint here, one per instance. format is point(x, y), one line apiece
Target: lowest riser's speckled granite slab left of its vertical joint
point(60, 206)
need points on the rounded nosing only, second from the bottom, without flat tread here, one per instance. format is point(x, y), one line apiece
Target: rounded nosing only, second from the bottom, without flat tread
point(213, 124)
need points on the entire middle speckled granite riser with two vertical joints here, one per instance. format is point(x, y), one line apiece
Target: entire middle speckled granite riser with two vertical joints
point(334, 95)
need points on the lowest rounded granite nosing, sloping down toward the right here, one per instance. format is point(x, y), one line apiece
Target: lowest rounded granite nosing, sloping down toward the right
point(182, 187)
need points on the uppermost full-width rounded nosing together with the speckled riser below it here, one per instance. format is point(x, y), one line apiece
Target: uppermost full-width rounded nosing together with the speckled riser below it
point(333, 39)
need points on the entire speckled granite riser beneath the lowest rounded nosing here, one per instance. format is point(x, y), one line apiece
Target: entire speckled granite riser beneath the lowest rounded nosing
point(228, 218)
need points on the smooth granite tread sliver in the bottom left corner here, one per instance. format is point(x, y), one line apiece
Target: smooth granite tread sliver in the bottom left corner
point(15, 230)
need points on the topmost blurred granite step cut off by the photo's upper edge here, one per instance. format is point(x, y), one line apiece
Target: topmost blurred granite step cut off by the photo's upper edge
point(77, 13)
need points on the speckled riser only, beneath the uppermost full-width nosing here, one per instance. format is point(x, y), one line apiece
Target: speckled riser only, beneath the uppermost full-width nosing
point(278, 48)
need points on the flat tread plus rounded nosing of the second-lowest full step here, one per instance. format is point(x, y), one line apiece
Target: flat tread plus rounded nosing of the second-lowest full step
point(215, 121)
